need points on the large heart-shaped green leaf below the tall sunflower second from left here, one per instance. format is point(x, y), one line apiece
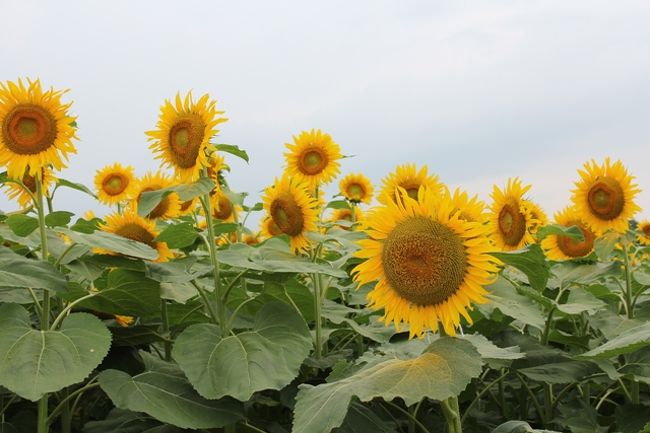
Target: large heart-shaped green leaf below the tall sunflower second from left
point(266, 357)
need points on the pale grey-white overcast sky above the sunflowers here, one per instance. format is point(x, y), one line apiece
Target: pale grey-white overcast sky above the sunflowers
point(479, 91)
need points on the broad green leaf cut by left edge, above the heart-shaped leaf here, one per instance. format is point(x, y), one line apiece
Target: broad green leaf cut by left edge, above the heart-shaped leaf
point(19, 271)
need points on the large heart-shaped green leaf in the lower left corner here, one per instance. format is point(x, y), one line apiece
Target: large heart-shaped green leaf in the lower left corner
point(38, 362)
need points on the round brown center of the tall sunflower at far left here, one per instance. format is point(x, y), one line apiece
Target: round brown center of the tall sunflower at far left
point(29, 129)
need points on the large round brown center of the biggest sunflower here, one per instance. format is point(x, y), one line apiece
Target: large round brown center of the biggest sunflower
point(424, 261)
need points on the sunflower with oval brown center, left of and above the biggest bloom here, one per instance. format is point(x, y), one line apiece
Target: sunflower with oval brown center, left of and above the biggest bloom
point(292, 209)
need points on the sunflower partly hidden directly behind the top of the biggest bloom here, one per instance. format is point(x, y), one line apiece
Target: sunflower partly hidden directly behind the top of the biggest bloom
point(408, 177)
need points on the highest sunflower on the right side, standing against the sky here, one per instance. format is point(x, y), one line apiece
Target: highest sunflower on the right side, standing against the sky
point(605, 196)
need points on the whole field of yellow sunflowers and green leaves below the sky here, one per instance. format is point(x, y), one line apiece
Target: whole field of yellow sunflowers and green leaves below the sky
point(406, 308)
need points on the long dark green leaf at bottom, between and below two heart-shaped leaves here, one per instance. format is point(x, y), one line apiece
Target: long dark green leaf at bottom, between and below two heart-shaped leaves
point(163, 393)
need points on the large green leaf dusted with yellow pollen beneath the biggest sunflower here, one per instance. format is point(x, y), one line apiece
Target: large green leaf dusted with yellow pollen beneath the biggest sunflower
point(443, 371)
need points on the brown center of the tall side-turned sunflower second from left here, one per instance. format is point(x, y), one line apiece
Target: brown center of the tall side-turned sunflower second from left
point(185, 139)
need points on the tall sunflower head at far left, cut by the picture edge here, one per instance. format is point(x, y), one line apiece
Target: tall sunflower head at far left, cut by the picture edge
point(35, 129)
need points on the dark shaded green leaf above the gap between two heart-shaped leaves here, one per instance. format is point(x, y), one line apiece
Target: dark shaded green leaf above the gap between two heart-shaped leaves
point(127, 293)
